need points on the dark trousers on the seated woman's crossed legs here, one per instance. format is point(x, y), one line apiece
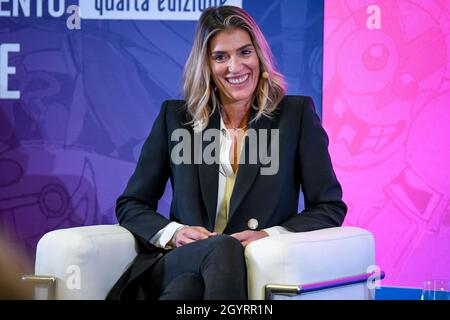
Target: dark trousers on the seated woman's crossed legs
point(210, 269)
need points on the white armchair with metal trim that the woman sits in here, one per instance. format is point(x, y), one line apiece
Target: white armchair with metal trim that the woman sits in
point(85, 262)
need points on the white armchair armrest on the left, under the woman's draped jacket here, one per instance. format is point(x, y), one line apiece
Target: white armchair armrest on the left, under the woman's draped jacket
point(85, 261)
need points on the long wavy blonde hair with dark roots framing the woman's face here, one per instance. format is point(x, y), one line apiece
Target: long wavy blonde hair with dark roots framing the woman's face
point(199, 88)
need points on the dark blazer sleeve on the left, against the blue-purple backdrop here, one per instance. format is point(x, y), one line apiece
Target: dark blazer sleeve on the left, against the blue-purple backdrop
point(136, 207)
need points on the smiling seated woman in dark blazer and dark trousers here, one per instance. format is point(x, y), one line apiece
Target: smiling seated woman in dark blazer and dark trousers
point(231, 88)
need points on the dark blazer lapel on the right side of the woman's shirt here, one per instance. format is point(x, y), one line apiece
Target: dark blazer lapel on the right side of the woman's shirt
point(247, 172)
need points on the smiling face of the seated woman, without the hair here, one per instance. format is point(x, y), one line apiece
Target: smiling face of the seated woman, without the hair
point(234, 66)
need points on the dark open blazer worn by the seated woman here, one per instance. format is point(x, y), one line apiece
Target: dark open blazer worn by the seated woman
point(304, 162)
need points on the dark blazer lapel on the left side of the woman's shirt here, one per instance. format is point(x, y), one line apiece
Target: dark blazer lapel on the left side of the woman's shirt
point(209, 174)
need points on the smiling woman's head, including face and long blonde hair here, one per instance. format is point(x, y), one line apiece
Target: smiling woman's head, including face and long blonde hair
point(212, 53)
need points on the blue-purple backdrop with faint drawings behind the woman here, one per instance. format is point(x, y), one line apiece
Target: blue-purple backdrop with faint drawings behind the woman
point(89, 97)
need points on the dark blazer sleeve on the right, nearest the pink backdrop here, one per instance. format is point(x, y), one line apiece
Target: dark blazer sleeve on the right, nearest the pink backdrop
point(324, 207)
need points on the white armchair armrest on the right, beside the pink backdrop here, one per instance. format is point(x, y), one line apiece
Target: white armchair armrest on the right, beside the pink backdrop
point(311, 257)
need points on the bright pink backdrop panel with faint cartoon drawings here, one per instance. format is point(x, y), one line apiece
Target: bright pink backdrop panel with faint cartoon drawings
point(386, 109)
